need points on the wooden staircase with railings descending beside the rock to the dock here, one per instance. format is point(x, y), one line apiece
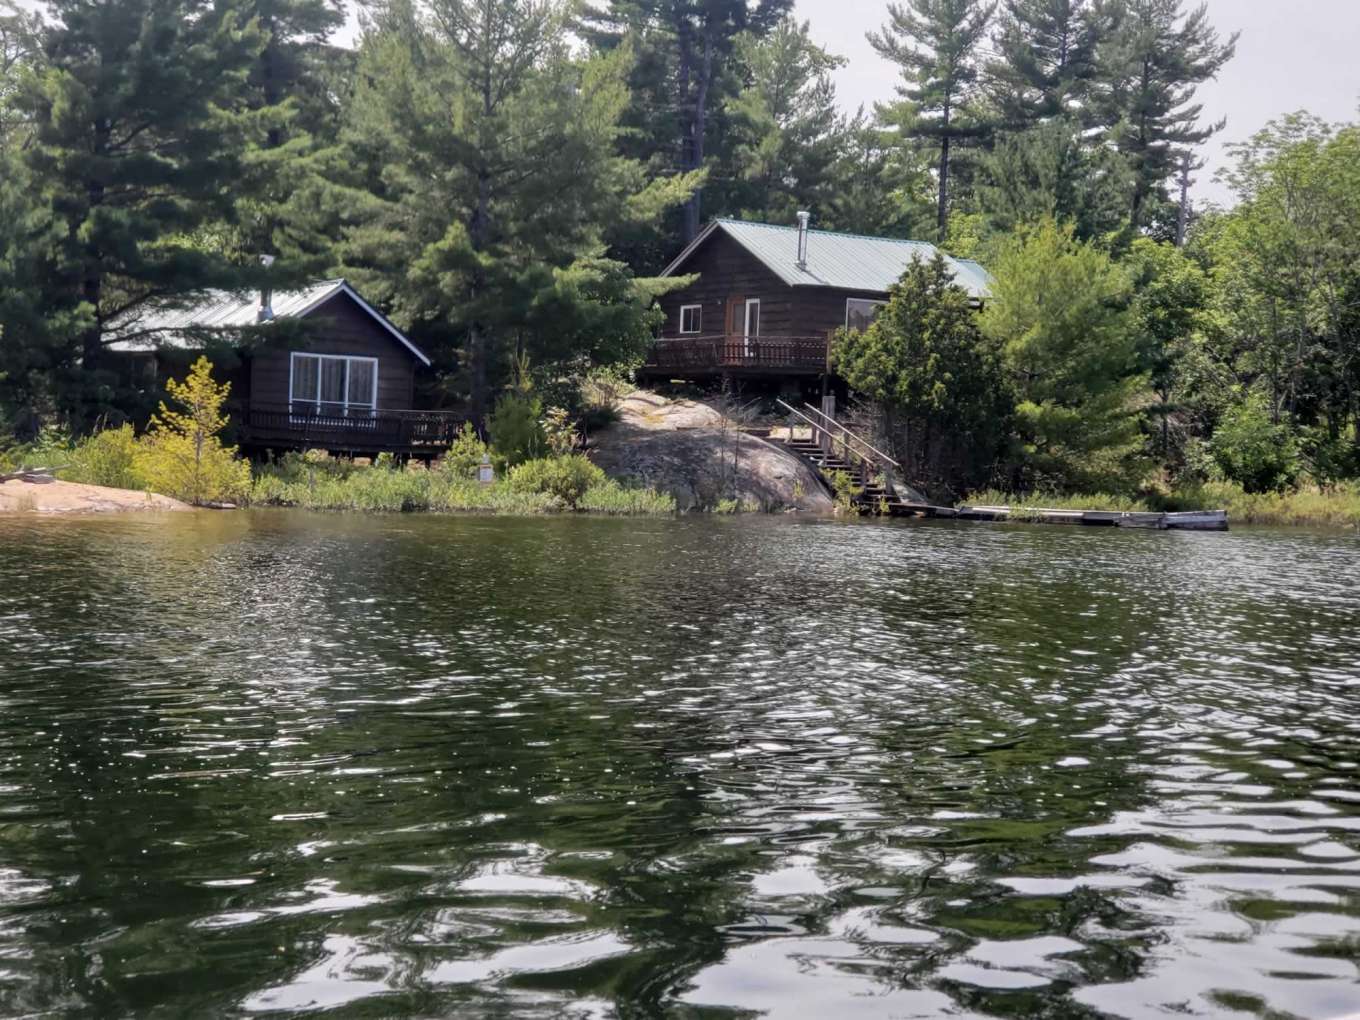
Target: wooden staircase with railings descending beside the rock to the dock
point(833, 449)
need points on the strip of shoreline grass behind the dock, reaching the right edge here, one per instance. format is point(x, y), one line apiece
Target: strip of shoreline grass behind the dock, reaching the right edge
point(1305, 508)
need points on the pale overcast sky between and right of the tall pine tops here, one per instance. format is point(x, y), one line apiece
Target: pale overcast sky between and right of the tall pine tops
point(1293, 55)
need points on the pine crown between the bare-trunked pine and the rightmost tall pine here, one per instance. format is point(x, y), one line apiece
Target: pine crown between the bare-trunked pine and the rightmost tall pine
point(1047, 59)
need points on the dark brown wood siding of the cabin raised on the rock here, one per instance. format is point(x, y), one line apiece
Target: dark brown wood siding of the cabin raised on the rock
point(728, 270)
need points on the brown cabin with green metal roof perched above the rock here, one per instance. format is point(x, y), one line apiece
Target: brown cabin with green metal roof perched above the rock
point(768, 299)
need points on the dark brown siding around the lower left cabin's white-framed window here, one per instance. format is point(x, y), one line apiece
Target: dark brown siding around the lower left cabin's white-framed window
point(338, 327)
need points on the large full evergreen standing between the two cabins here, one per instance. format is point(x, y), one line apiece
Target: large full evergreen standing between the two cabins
point(488, 169)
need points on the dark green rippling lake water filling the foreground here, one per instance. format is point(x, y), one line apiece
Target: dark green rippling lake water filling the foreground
point(708, 768)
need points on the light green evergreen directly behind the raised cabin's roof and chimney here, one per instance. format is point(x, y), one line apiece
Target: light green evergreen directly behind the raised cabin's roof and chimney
point(785, 126)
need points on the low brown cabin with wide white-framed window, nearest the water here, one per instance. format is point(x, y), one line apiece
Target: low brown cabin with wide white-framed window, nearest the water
point(318, 369)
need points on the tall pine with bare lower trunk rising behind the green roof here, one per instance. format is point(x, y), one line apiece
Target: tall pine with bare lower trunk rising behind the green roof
point(936, 46)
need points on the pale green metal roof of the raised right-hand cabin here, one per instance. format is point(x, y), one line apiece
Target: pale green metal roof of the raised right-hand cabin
point(845, 262)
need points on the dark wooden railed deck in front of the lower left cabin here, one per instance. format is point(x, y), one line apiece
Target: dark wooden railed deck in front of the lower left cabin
point(421, 435)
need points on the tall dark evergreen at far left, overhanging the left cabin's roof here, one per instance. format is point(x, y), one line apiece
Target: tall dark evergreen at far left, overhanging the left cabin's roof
point(137, 142)
